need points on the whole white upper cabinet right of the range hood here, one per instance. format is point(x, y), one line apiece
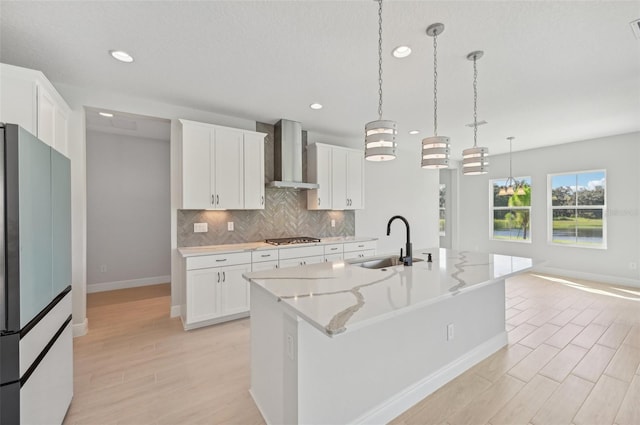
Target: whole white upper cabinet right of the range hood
point(340, 173)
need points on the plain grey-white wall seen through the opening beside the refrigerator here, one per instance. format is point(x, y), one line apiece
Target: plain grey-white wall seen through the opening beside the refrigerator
point(128, 211)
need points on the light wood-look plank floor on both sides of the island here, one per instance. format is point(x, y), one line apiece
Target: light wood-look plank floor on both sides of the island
point(573, 358)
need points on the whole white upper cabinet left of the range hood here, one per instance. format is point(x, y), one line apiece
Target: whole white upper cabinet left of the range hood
point(222, 167)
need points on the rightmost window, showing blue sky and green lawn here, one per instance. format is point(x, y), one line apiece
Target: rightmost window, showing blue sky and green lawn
point(578, 204)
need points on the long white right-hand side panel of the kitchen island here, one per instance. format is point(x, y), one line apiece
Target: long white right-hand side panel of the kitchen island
point(373, 374)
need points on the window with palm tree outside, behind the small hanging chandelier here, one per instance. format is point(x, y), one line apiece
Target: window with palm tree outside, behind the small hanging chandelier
point(511, 213)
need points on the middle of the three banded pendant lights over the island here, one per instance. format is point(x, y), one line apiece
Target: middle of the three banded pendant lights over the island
point(435, 149)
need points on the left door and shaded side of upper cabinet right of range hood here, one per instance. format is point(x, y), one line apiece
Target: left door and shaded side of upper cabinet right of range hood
point(319, 171)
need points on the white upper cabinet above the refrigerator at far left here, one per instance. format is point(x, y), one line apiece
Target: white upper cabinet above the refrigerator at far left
point(28, 99)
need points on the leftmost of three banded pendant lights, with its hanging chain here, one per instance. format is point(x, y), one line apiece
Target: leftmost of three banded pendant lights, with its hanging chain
point(380, 135)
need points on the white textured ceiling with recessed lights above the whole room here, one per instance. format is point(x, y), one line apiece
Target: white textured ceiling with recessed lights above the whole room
point(553, 71)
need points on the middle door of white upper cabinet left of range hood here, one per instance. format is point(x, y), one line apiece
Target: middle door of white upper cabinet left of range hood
point(228, 169)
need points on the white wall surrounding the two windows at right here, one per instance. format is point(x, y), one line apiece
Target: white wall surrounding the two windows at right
point(619, 155)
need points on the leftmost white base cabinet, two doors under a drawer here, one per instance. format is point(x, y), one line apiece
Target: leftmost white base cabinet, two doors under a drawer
point(215, 289)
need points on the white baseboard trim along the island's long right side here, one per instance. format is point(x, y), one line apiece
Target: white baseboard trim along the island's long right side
point(399, 403)
